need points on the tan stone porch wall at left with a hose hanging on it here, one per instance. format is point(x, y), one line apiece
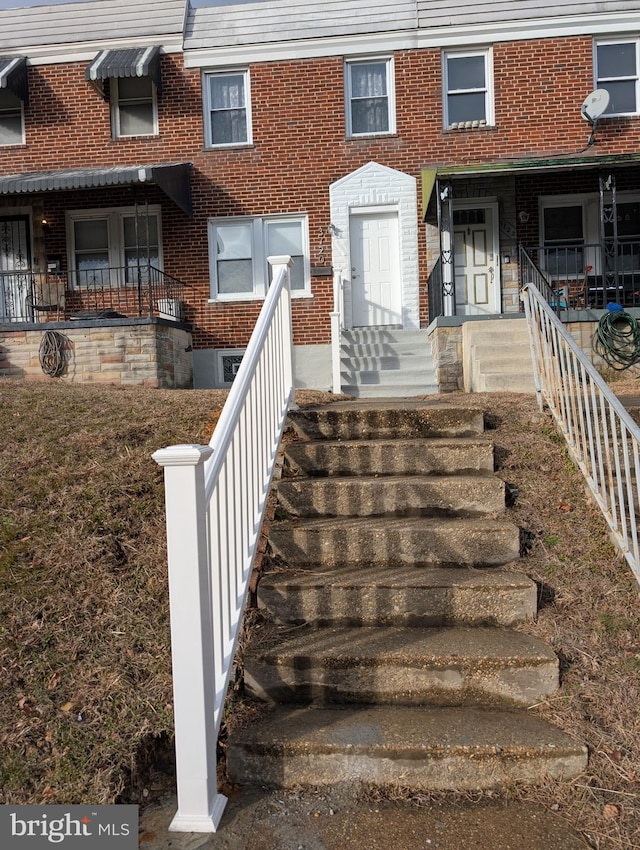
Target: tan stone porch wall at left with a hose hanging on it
point(147, 352)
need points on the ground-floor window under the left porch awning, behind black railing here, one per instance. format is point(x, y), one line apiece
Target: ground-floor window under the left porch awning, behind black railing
point(112, 247)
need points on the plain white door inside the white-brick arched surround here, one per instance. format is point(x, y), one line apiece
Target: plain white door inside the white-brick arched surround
point(375, 269)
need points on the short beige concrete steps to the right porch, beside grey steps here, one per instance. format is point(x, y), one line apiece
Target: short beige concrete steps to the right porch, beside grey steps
point(497, 356)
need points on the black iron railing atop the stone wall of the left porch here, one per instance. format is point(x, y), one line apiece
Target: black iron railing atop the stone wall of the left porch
point(127, 292)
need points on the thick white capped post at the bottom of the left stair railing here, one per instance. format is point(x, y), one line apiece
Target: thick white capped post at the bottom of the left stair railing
point(200, 806)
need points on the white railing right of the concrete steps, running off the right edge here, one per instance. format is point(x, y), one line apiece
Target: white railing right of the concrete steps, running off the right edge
point(602, 437)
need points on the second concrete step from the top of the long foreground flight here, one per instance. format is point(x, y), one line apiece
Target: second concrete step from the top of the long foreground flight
point(438, 456)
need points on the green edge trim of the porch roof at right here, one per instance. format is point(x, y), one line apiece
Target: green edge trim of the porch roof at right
point(539, 165)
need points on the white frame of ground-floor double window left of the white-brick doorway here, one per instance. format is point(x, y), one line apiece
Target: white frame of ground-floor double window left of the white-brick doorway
point(259, 252)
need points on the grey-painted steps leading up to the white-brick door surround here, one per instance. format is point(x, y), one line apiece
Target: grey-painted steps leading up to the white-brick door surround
point(386, 363)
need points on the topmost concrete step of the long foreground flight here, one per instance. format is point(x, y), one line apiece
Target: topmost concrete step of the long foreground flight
point(379, 420)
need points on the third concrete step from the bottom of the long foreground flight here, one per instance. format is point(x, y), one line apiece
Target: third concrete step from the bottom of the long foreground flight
point(400, 596)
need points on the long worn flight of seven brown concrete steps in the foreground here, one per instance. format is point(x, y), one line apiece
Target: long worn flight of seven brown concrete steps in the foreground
point(395, 658)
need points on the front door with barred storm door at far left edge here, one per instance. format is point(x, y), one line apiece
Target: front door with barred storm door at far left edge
point(15, 262)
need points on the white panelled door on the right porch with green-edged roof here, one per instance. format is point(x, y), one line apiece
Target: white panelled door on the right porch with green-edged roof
point(476, 261)
